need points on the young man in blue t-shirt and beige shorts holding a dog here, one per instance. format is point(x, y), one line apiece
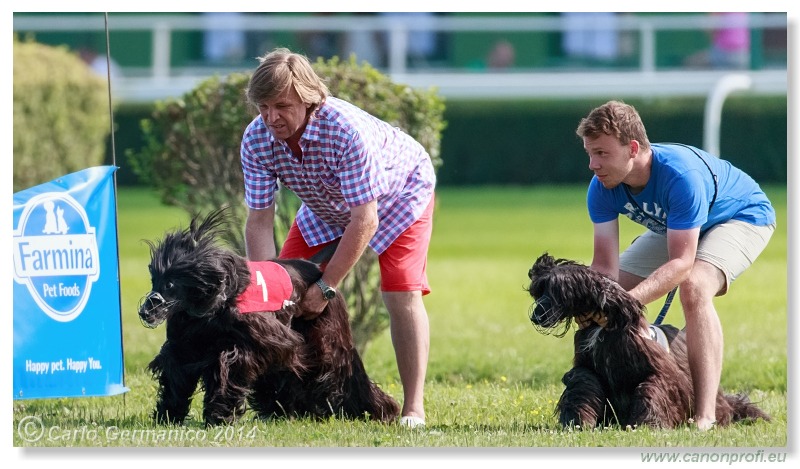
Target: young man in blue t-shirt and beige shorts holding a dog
point(706, 222)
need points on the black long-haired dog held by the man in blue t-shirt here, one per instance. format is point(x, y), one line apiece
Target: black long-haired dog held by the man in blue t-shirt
point(619, 373)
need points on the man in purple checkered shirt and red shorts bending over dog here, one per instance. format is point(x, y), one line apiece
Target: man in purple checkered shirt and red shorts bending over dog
point(362, 182)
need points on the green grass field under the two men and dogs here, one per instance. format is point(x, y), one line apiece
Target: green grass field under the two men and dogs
point(492, 380)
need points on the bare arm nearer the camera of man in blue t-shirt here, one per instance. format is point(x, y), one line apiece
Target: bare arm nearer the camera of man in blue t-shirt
point(682, 247)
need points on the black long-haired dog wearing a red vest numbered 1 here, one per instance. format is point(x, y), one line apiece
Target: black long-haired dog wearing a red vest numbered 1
point(279, 364)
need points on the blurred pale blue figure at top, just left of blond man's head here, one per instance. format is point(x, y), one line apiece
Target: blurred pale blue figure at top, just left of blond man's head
point(224, 45)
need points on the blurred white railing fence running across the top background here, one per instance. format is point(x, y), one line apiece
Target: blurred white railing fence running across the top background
point(161, 80)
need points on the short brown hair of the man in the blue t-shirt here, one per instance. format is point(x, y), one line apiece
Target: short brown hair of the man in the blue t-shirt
point(617, 119)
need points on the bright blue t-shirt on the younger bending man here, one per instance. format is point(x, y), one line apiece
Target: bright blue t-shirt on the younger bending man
point(678, 194)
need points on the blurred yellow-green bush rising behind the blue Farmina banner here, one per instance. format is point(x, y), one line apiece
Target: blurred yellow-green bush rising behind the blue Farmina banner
point(61, 120)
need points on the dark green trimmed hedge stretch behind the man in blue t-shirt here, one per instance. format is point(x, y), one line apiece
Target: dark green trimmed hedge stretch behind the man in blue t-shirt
point(532, 142)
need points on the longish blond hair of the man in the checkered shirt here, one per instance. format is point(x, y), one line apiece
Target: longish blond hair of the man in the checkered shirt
point(281, 69)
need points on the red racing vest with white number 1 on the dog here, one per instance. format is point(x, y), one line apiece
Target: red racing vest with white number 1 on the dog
point(270, 288)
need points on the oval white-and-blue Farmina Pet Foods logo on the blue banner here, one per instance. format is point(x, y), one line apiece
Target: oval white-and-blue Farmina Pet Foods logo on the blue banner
point(56, 254)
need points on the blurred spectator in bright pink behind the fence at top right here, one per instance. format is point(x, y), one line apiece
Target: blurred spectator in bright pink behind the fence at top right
point(730, 45)
